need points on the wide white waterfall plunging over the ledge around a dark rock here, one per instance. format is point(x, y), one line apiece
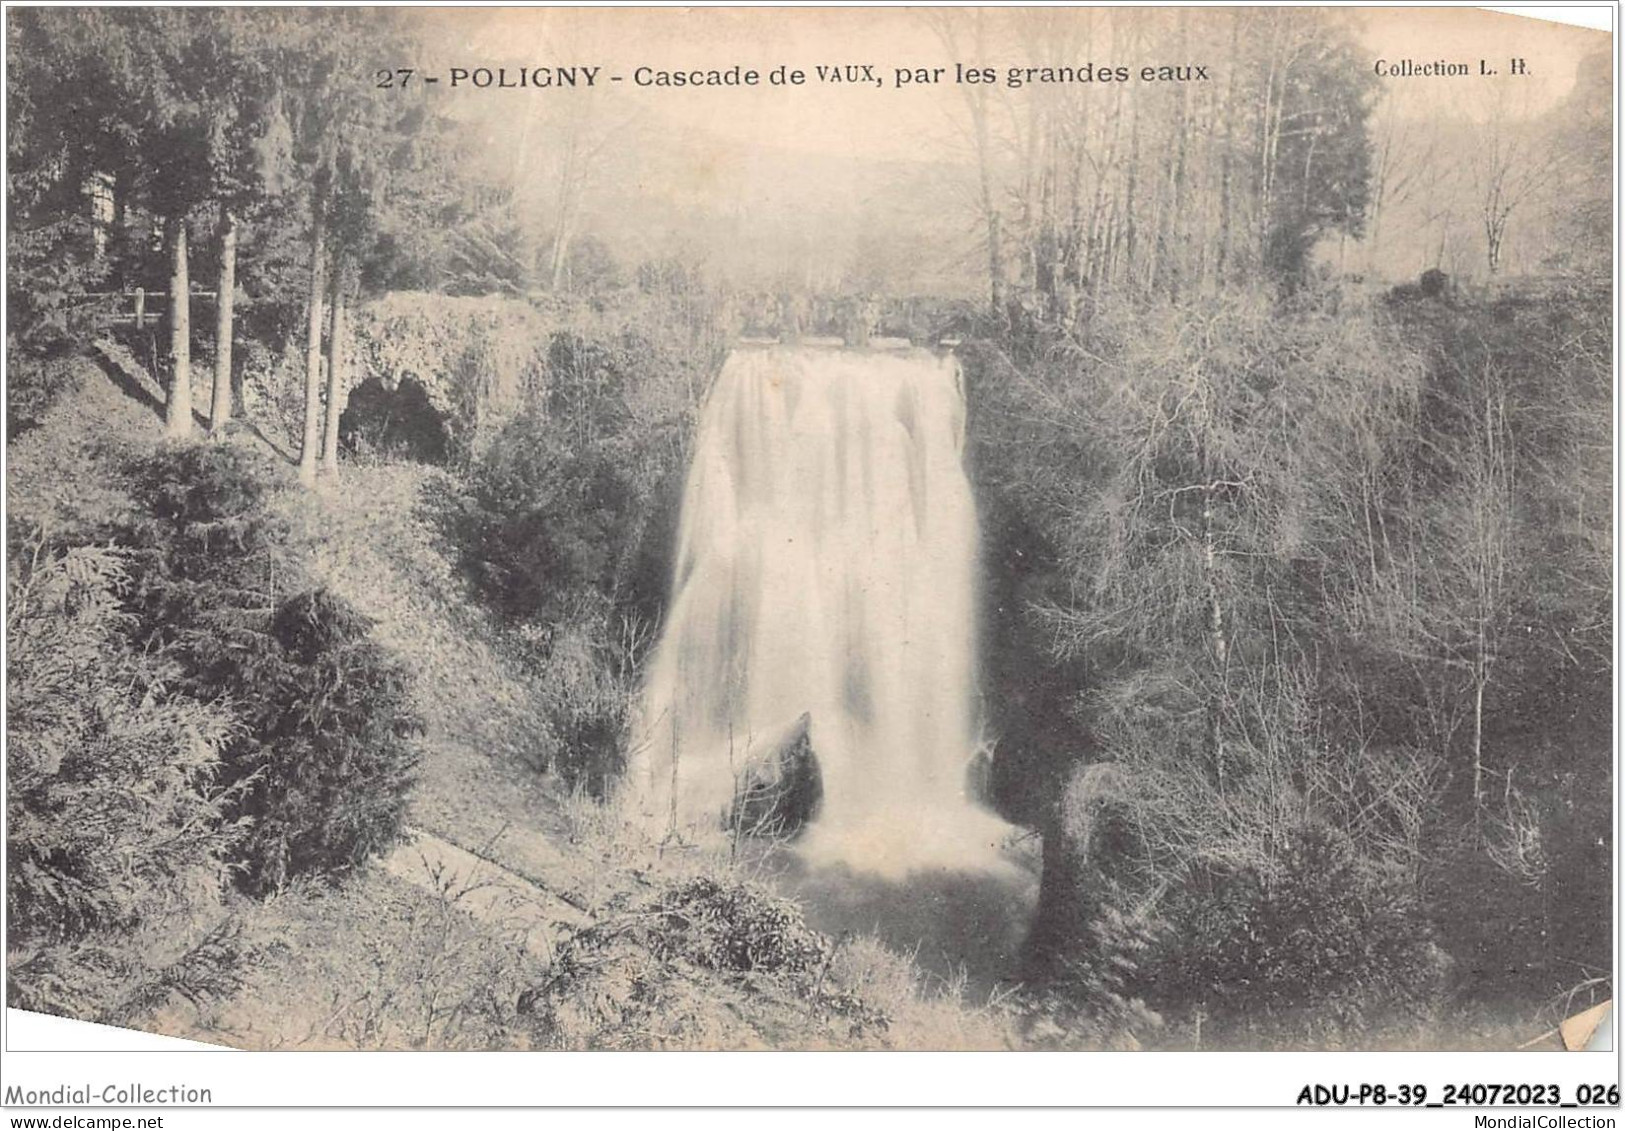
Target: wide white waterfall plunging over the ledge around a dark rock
point(826, 579)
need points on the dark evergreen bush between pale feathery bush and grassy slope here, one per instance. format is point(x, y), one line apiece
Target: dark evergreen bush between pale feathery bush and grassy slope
point(323, 761)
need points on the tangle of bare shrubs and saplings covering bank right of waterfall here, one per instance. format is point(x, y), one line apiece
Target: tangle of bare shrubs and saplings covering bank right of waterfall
point(1304, 574)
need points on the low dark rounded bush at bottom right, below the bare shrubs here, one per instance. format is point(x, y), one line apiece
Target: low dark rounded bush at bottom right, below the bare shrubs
point(1317, 956)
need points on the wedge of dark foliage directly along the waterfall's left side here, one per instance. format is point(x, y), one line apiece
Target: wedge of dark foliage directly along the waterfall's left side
point(566, 518)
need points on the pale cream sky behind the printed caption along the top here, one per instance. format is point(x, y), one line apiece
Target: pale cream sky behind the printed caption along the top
point(869, 123)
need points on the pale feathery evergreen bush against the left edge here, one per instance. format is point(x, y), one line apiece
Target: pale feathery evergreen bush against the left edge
point(116, 812)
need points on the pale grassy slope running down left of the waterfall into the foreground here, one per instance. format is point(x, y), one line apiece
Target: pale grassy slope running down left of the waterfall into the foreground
point(516, 916)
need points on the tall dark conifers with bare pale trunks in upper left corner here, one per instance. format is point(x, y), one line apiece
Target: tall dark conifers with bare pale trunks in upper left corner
point(155, 145)
